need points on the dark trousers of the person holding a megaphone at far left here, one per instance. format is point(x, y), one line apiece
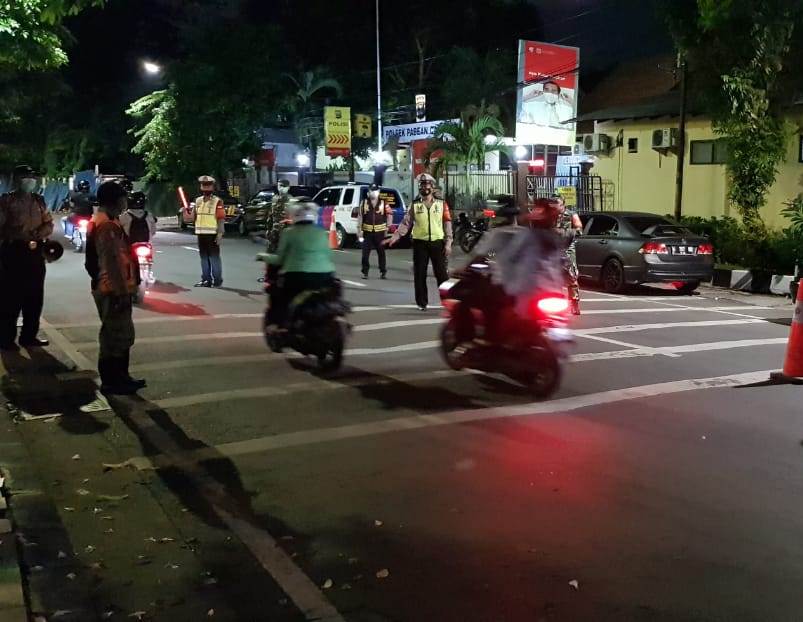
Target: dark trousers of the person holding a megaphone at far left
point(22, 290)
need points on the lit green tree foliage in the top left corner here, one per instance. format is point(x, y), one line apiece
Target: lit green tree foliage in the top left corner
point(31, 34)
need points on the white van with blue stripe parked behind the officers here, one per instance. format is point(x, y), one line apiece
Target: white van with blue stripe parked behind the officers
point(343, 203)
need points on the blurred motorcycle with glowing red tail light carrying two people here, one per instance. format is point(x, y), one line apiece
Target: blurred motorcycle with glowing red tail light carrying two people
point(531, 351)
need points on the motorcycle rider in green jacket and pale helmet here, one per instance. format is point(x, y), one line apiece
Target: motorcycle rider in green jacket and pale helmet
point(304, 261)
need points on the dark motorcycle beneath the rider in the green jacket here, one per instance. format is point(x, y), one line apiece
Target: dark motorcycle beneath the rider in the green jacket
point(316, 327)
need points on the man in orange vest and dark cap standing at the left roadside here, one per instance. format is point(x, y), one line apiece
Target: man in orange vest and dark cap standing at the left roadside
point(111, 268)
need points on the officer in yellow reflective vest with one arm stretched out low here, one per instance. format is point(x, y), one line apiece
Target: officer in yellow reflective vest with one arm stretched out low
point(431, 223)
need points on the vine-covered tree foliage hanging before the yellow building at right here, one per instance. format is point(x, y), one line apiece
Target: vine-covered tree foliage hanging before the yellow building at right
point(741, 64)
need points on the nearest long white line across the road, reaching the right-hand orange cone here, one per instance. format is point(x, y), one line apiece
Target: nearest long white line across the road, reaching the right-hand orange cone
point(418, 422)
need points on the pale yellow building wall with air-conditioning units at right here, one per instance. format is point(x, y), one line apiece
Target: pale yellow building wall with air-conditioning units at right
point(645, 181)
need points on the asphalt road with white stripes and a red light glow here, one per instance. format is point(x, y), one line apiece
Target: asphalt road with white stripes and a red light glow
point(662, 482)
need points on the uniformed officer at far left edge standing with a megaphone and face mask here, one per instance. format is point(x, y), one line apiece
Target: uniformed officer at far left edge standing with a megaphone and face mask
point(25, 224)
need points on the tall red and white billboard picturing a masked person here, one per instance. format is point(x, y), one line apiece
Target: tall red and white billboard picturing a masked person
point(547, 94)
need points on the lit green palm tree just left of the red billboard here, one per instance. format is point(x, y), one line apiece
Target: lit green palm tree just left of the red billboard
point(466, 142)
